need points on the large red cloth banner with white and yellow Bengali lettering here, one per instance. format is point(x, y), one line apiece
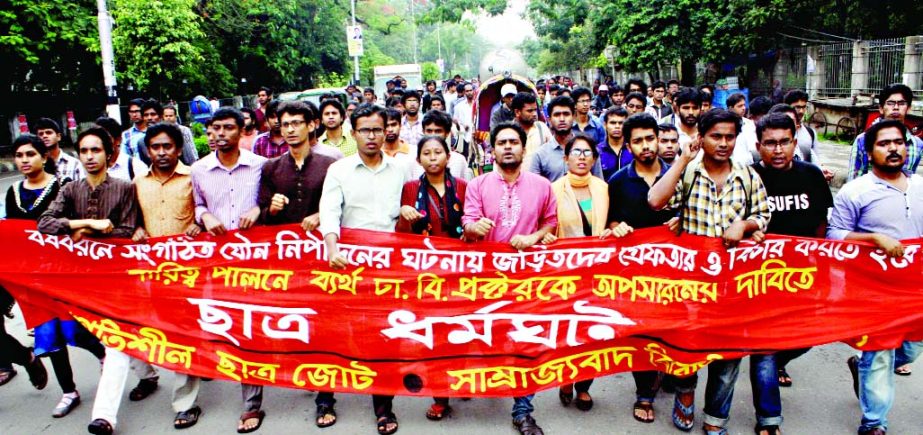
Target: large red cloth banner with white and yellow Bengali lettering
point(430, 316)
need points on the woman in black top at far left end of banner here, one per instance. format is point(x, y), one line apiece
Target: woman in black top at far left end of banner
point(28, 199)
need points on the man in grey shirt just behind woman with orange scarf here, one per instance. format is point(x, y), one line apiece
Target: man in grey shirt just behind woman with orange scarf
point(548, 161)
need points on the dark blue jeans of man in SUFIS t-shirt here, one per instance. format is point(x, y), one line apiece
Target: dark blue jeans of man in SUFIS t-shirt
point(764, 380)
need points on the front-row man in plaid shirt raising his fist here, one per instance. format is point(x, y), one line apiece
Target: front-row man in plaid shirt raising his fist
point(715, 198)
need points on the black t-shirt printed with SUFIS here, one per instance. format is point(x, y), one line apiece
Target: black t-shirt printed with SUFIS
point(798, 198)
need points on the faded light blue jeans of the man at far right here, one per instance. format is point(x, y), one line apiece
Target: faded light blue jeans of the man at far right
point(876, 382)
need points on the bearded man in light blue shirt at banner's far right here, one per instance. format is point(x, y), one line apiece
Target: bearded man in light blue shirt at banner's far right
point(879, 208)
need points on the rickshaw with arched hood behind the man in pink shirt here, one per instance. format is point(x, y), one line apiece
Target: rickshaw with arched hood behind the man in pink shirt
point(487, 96)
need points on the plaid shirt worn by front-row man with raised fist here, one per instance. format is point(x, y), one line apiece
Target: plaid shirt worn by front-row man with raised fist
point(708, 213)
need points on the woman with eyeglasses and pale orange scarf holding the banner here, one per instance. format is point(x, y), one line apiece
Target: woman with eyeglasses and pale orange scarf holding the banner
point(583, 206)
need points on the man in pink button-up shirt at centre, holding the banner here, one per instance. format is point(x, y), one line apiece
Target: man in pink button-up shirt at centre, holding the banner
point(512, 206)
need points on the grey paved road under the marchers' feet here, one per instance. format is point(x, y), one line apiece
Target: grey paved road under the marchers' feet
point(820, 402)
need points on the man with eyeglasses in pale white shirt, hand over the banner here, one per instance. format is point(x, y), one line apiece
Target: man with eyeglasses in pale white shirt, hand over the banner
point(362, 191)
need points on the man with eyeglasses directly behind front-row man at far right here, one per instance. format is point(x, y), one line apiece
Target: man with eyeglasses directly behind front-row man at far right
point(893, 103)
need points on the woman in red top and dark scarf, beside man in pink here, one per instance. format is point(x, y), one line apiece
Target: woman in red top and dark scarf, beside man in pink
point(433, 206)
